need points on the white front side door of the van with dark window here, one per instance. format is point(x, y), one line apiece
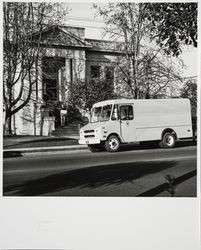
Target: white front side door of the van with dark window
point(127, 123)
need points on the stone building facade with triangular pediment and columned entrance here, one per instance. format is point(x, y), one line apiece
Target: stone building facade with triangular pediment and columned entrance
point(68, 57)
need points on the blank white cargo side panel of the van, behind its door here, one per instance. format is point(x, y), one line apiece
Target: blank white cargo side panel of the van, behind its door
point(153, 117)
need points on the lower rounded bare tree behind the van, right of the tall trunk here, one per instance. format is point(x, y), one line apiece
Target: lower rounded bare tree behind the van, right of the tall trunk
point(157, 74)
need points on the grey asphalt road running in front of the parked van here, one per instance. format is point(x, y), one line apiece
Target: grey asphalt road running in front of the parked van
point(129, 172)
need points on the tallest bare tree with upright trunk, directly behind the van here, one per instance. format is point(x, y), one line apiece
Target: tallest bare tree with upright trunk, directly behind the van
point(124, 21)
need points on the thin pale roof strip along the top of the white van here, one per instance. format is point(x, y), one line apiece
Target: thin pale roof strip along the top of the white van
point(132, 101)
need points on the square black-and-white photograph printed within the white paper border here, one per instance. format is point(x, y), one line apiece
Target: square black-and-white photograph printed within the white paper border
point(100, 100)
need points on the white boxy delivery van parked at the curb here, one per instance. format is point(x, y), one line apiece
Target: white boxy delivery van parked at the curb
point(114, 122)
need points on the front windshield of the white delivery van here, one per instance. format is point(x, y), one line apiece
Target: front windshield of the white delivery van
point(101, 113)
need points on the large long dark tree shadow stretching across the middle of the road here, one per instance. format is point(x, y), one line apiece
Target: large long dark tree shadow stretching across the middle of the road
point(90, 177)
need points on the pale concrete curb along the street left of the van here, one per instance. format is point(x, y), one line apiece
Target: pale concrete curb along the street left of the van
point(20, 151)
